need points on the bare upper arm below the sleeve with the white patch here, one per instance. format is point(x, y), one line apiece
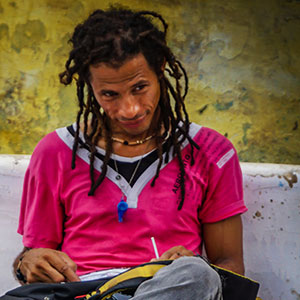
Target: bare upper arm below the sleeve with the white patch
point(223, 243)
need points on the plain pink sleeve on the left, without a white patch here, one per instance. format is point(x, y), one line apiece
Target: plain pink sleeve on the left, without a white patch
point(41, 213)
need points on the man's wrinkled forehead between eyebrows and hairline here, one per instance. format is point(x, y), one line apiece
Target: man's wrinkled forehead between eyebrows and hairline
point(133, 68)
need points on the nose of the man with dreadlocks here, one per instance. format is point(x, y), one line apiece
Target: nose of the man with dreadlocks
point(129, 107)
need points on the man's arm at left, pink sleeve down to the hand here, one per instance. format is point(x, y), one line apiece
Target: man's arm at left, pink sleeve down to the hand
point(42, 217)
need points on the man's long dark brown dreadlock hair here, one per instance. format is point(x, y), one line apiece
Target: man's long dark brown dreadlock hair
point(112, 37)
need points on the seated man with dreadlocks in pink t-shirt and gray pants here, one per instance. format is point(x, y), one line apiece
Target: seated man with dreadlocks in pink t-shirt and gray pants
point(135, 148)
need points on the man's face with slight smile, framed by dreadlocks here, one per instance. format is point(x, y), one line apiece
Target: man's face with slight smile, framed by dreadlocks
point(129, 95)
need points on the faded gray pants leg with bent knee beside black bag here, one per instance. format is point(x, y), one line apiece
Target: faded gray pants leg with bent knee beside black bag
point(186, 278)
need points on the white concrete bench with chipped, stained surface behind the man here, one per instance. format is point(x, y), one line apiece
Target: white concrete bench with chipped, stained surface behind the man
point(271, 225)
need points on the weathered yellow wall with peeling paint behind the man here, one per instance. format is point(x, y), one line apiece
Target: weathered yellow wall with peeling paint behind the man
point(242, 58)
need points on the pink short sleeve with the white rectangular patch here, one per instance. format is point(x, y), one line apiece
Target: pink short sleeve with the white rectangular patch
point(224, 195)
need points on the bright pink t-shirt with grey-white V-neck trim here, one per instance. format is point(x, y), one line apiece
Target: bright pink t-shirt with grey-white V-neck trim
point(56, 211)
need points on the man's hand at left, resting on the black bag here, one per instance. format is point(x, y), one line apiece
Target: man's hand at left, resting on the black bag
point(48, 265)
